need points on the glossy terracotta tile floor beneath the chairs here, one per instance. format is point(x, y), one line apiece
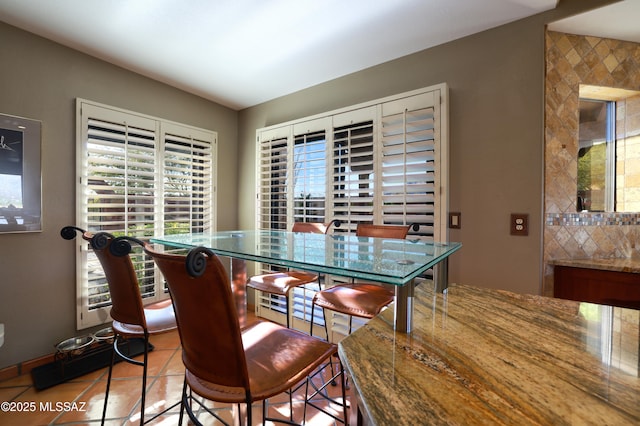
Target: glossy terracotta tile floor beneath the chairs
point(165, 379)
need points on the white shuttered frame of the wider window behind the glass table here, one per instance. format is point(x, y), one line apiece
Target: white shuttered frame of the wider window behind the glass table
point(377, 210)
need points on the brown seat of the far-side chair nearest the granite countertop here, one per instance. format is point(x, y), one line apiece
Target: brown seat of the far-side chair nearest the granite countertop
point(360, 300)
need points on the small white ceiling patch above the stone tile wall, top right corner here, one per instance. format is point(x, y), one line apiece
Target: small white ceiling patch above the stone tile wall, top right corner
point(620, 21)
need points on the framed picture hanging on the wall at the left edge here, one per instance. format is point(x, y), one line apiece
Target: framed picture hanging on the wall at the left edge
point(20, 175)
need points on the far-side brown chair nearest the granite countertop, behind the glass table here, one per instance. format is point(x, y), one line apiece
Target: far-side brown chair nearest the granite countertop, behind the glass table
point(363, 300)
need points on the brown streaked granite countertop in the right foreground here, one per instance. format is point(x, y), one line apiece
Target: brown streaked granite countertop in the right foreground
point(495, 357)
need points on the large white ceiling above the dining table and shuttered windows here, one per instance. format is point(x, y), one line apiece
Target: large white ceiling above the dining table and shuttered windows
point(244, 52)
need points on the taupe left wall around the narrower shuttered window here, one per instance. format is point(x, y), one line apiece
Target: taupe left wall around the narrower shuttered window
point(41, 80)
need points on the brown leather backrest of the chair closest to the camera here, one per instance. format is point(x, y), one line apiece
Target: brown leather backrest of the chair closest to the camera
point(206, 316)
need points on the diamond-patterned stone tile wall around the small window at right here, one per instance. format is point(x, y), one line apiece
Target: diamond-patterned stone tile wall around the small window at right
point(572, 60)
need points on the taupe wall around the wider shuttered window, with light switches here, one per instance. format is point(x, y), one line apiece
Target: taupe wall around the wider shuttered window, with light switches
point(496, 81)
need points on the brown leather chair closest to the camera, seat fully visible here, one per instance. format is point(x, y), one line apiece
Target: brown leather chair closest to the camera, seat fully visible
point(222, 362)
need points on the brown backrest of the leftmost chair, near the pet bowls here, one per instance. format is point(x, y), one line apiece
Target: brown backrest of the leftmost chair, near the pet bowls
point(126, 301)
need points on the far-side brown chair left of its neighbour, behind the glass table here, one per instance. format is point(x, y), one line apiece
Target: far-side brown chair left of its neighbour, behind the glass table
point(281, 283)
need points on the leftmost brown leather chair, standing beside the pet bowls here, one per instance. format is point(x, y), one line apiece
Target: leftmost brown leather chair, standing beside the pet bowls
point(131, 319)
